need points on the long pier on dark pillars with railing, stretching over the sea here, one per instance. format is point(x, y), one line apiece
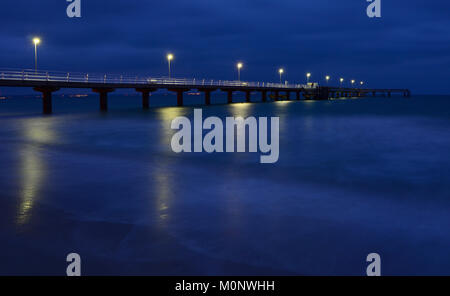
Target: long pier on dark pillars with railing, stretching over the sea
point(47, 82)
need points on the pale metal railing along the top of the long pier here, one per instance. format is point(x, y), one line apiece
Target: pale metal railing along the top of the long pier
point(73, 77)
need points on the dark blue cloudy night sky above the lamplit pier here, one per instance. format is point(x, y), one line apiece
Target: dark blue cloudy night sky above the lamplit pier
point(409, 47)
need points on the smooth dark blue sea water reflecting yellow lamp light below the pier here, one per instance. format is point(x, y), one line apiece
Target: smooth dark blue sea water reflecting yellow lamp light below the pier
point(354, 177)
